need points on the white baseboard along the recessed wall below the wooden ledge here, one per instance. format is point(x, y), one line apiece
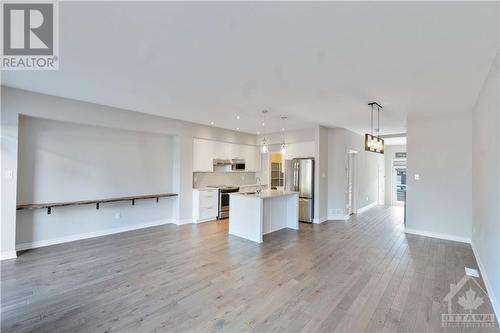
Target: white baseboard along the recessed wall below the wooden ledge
point(71, 238)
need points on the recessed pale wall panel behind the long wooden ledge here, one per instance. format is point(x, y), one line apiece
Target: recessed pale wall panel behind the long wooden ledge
point(61, 161)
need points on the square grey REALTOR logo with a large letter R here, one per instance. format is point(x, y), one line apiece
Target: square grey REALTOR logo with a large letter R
point(30, 35)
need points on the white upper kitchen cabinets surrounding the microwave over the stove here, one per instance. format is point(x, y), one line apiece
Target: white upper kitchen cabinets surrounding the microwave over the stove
point(205, 151)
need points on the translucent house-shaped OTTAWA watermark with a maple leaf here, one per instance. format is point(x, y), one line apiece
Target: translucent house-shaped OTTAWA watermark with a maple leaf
point(466, 305)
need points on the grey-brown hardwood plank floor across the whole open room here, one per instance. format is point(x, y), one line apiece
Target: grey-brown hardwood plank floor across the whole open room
point(361, 275)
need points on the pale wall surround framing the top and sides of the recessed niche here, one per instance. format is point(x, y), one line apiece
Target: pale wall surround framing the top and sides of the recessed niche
point(15, 102)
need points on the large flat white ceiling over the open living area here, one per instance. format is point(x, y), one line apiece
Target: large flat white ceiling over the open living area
point(314, 62)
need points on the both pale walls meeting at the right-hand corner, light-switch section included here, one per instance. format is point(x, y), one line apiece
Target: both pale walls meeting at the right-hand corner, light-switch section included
point(457, 196)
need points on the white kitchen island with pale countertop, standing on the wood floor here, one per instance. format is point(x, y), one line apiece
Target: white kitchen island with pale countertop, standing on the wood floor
point(252, 215)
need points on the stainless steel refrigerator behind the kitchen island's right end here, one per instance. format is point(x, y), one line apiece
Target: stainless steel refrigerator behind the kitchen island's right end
point(299, 177)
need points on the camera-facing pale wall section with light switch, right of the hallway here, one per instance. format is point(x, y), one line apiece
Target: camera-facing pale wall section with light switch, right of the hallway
point(439, 150)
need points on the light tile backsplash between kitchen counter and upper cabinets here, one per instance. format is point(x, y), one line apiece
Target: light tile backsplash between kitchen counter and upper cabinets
point(204, 179)
